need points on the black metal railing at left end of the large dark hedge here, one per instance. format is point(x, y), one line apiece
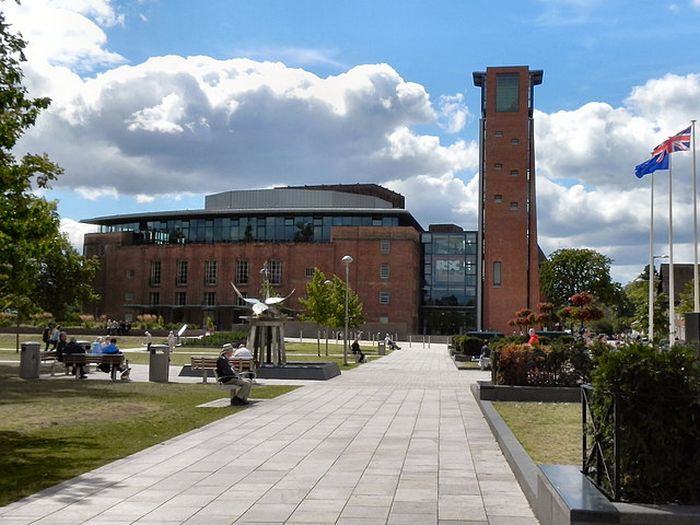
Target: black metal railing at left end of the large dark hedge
point(600, 442)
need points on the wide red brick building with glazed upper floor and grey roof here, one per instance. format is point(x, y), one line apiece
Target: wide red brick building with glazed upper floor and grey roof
point(179, 264)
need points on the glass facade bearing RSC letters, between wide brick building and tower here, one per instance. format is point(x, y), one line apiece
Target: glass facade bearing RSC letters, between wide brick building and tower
point(449, 282)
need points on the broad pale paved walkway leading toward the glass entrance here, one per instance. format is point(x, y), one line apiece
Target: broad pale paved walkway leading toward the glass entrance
point(396, 441)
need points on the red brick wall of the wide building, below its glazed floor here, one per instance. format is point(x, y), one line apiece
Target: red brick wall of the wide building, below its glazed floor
point(120, 259)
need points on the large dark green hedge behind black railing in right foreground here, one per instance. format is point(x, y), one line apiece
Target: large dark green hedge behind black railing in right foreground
point(659, 421)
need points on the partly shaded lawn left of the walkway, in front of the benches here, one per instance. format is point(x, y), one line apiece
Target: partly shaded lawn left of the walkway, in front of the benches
point(51, 431)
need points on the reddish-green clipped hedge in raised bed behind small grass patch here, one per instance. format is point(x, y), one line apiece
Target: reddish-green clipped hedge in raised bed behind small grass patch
point(559, 364)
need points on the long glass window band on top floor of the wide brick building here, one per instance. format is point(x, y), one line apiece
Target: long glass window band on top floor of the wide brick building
point(270, 228)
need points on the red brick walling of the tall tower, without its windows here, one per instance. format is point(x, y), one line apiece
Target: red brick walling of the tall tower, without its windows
point(506, 230)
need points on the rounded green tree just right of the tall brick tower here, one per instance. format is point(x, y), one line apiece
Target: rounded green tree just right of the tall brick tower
point(574, 270)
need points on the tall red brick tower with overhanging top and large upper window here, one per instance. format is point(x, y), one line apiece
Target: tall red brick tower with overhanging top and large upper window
point(509, 255)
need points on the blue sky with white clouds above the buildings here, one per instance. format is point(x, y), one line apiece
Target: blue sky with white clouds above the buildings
point(156, 103)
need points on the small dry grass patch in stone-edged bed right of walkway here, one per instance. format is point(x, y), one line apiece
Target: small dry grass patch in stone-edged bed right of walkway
point(549, 432)
